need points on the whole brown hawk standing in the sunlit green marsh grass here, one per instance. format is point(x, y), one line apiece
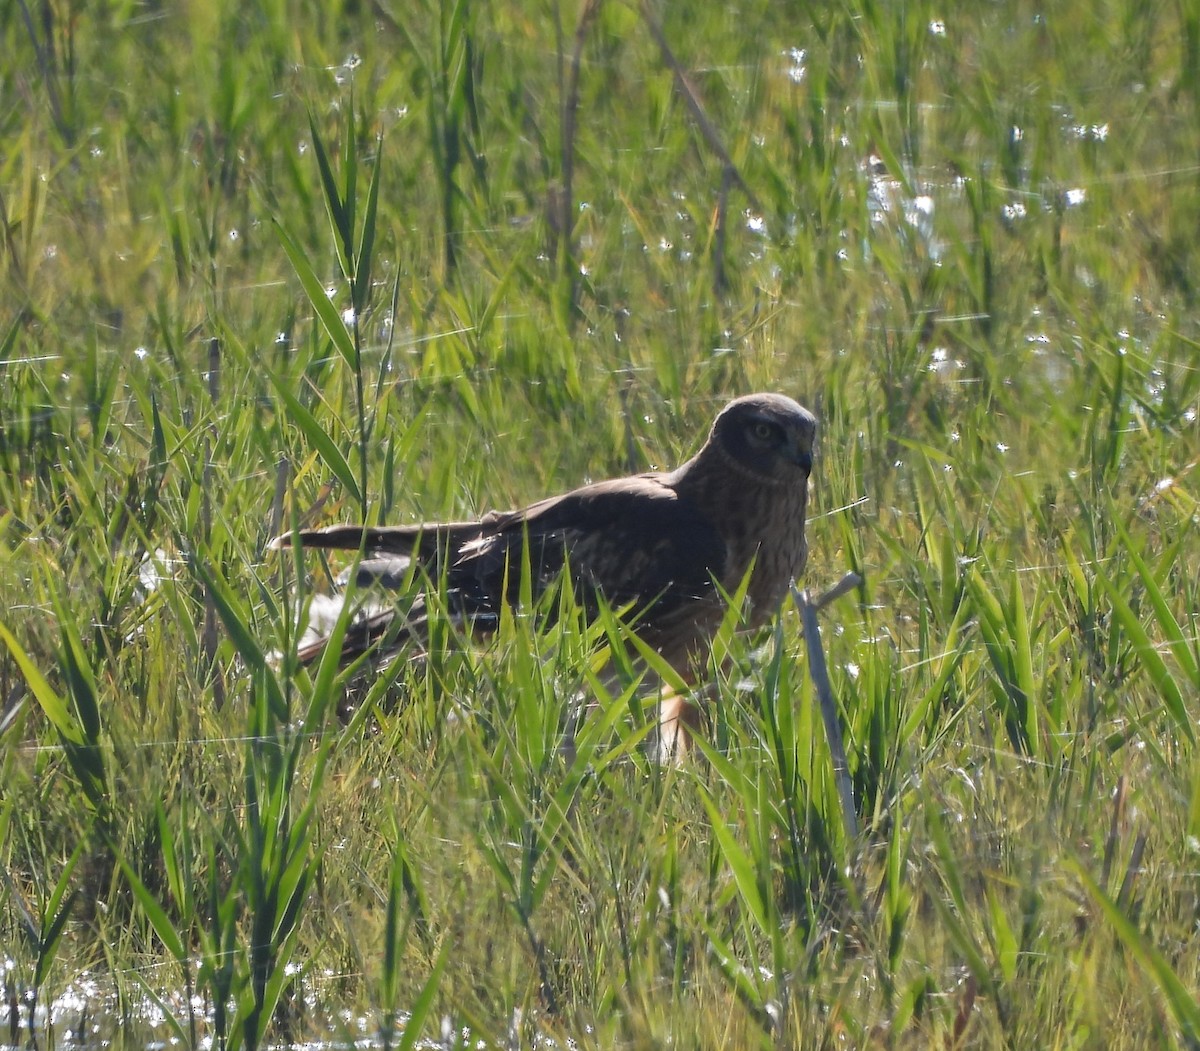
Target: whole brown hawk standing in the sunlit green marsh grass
point(667, 548)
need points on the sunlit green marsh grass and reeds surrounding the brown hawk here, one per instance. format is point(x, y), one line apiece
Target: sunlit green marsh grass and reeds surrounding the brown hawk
point(968, 239)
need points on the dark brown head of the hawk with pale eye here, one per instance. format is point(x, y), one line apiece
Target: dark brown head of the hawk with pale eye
point(769, 437)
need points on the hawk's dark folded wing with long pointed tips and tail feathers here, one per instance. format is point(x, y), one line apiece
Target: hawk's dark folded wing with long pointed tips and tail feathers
point(633, 542)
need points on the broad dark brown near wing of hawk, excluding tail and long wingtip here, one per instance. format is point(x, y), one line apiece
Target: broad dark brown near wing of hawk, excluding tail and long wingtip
point(633, 540)
